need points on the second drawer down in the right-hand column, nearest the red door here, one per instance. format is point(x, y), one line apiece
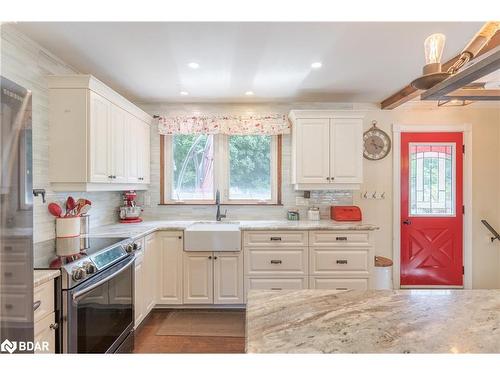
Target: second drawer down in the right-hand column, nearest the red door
point(332, 261)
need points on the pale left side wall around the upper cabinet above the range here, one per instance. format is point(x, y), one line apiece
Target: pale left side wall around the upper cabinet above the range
point(26, 63)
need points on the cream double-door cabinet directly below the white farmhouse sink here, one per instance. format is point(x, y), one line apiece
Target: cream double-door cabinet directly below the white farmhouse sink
point(213, 277)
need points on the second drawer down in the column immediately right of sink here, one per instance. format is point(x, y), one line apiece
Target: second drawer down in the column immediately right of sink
point(269, 261)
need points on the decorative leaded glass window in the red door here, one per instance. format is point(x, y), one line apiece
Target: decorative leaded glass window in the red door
point(432, 179)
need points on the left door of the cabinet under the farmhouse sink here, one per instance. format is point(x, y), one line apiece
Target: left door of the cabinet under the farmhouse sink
point(198, 277)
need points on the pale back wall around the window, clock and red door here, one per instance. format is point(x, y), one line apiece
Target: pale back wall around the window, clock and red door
point(377, 174)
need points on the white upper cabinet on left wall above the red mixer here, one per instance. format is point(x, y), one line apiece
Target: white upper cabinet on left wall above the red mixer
point(98, 140)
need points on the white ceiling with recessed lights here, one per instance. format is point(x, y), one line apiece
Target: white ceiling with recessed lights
point(147, 62)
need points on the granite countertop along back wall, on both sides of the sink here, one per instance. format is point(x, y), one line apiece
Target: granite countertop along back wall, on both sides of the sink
point(136, 230)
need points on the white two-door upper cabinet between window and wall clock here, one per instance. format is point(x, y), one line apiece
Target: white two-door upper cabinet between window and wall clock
point(327, 150)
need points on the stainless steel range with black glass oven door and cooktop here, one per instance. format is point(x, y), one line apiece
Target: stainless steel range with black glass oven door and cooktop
point(96, 292)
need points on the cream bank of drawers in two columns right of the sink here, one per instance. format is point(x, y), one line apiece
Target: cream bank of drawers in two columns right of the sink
point(315, 260)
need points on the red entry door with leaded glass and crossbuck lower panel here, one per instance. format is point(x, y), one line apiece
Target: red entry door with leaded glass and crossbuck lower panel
point(431, 209)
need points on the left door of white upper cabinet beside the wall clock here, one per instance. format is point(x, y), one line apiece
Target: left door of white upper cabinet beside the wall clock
point(312, 151)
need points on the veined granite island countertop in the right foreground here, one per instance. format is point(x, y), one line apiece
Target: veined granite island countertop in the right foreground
point(402, 321)
